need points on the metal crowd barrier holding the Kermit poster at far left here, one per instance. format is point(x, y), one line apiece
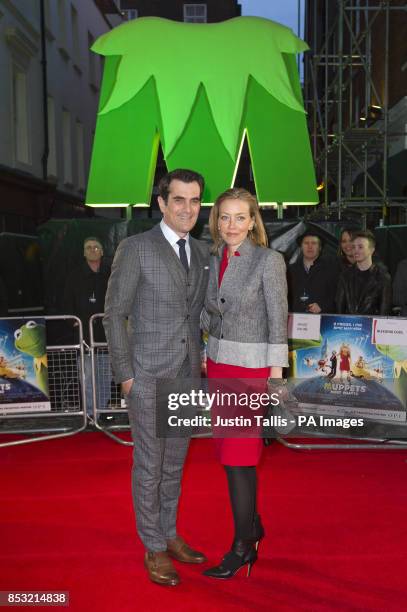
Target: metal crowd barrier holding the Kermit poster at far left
point(66, 390)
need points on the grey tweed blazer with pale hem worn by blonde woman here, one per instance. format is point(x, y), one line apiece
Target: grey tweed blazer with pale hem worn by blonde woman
point(247, 316)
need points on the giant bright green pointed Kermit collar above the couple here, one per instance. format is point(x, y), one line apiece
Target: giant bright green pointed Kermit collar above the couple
point(182, 57)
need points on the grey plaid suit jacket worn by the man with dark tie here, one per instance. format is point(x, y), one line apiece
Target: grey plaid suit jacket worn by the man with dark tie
point(153, 306)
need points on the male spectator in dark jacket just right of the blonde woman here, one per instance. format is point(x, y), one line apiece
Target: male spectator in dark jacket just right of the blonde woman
point(312, 279)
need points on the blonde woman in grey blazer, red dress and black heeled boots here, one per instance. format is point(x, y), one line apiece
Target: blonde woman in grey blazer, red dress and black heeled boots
point(246, 317)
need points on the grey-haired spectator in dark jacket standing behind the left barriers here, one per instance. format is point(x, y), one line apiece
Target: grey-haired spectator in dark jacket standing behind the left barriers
point(84, 296)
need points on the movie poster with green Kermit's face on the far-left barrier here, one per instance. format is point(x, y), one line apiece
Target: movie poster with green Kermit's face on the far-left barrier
point(23, 366)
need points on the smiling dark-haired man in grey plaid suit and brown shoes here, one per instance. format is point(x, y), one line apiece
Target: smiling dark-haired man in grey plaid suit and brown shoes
point(158, 283)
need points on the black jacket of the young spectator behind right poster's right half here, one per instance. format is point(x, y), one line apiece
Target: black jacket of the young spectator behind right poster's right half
point(375, 297)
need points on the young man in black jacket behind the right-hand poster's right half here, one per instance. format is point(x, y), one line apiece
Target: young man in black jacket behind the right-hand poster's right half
point(365, 287)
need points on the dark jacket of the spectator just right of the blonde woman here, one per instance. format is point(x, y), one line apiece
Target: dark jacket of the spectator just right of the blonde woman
point(319, 284)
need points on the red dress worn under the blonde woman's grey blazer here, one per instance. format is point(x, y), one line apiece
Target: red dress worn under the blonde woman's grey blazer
point(236, 451)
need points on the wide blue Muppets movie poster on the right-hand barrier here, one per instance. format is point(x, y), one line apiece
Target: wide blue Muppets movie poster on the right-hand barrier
point(349, 366)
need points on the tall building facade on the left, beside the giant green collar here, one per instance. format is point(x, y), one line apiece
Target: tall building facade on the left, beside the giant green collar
point(48, 105)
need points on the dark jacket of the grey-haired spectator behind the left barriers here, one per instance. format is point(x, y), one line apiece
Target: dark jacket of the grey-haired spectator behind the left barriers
point(84, 296)
